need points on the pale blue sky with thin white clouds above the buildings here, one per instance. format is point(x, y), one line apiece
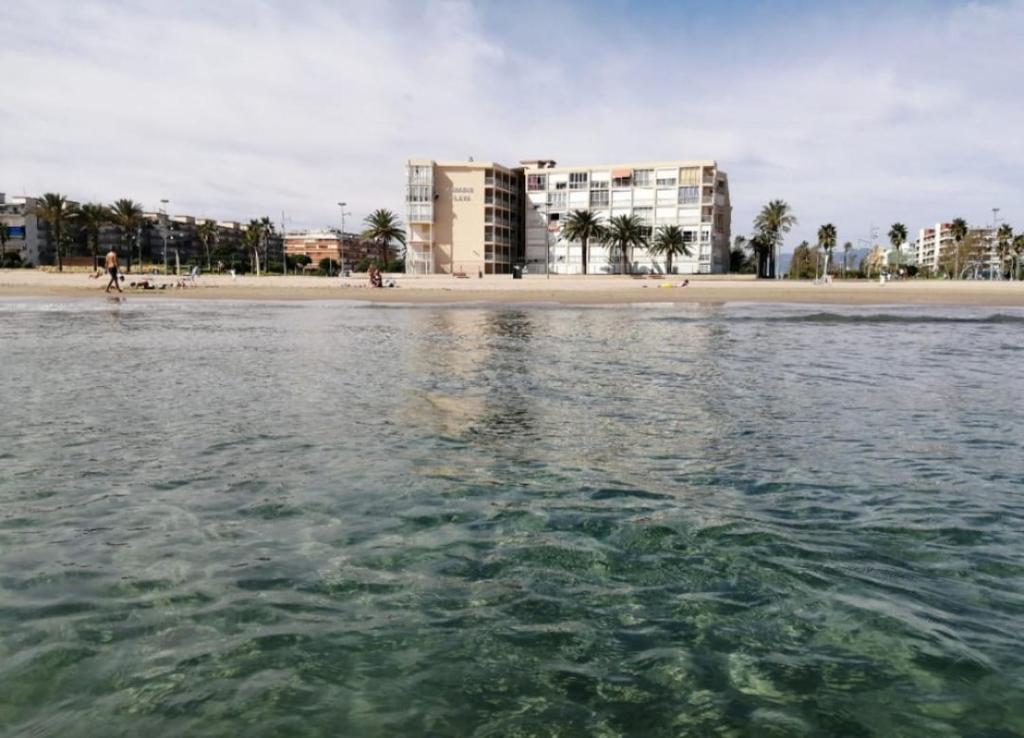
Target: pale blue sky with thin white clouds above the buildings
point(860, 114)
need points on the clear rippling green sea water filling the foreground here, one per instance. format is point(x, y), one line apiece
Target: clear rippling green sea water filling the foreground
point(328, 519)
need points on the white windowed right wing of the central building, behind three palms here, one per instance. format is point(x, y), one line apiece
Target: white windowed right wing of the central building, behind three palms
point(694, 196)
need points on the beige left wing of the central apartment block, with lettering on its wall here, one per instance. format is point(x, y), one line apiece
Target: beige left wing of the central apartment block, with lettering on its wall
point(463, 218)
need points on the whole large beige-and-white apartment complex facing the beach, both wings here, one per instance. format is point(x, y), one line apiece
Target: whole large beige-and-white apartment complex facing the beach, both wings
point(481, 218)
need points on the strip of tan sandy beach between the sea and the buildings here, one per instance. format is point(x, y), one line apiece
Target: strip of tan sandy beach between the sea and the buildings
point(534, 289)
